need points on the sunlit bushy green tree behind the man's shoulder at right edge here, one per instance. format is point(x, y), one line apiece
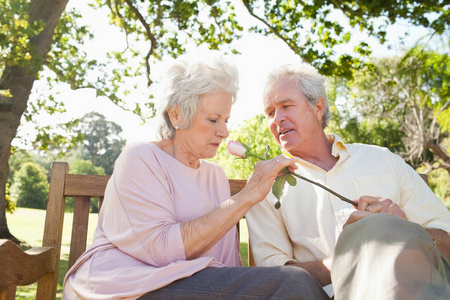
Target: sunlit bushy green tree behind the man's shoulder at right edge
point(409, 94)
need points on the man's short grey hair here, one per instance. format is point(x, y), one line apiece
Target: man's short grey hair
point(308, 80)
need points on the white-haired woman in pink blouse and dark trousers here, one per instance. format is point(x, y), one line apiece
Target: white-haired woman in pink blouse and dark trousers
point(166, 229)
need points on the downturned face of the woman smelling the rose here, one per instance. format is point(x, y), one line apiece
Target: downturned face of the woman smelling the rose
point(209, 127)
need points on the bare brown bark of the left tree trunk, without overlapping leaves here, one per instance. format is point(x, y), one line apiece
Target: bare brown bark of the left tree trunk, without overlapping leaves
point(19, 81)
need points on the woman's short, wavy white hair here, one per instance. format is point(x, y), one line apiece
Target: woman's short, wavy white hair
point(187, 79)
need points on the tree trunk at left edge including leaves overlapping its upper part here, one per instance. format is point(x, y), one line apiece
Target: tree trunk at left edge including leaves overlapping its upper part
point(23, 47)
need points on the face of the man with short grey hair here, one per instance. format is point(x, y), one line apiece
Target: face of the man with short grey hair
point(292, 121)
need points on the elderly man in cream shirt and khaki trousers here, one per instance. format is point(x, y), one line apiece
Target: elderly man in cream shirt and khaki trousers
point(395, 245)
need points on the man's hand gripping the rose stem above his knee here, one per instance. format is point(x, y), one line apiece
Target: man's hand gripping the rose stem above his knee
point(368, 205)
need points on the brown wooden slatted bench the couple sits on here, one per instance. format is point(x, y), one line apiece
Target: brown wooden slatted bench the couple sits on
point(19, 267)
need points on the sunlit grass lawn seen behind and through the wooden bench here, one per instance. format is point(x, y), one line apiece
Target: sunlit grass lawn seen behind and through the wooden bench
point(27, 225)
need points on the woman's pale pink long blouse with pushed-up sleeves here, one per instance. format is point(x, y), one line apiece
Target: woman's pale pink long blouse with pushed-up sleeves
point(137, 244)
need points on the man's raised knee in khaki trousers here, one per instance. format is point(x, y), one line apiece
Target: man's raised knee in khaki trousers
point(390, 251)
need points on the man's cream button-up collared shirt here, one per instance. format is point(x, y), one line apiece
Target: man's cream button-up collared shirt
point(309, 221)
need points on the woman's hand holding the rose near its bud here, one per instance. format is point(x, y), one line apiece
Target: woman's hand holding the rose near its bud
point(264, 175)
